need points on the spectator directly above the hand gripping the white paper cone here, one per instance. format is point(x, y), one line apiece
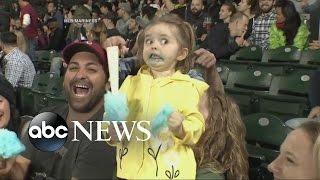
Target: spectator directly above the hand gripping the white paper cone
point(124, 15)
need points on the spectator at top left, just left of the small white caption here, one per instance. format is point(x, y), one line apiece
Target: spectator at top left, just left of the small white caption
point(52, 12)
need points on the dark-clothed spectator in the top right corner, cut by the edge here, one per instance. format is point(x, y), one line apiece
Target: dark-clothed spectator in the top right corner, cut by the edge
point(314, 11)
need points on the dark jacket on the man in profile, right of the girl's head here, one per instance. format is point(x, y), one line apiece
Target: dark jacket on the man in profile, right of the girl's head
point(220, 43)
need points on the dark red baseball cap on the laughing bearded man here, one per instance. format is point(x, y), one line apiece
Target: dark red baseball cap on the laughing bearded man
point(85, 46)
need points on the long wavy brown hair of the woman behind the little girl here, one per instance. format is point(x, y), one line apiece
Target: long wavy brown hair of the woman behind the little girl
point(222, 146)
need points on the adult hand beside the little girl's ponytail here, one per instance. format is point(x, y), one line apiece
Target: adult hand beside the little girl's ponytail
point(205, 58)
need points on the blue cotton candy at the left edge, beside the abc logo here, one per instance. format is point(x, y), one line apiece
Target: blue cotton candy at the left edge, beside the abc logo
point(10, 144)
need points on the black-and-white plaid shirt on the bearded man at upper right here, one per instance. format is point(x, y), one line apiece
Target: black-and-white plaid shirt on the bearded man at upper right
point(260, 29)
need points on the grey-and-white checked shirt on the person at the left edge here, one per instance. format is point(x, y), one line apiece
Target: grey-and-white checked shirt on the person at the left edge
point(19, 69)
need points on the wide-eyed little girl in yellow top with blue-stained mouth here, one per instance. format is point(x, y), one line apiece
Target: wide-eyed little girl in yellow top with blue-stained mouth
point(167, 45)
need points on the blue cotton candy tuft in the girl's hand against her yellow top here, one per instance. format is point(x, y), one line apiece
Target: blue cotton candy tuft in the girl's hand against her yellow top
point(160, 121)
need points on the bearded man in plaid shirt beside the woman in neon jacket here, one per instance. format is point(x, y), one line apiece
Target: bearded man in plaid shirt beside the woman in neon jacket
point(262, 23)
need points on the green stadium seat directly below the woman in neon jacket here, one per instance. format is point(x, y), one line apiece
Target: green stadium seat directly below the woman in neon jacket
point(288, 54)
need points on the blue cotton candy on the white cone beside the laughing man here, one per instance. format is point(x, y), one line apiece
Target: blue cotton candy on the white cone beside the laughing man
point(116, 106)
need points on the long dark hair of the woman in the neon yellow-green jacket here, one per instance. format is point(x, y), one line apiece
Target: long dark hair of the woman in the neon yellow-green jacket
point(292, 22)
